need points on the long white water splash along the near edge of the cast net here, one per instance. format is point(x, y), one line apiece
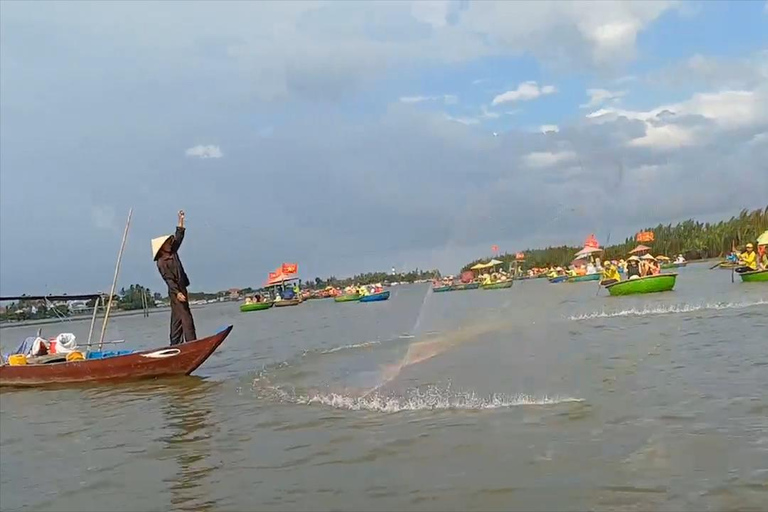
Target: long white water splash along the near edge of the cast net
point(427, 399)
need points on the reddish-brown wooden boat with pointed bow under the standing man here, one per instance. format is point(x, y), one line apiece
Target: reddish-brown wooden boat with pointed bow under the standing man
point(180, 359)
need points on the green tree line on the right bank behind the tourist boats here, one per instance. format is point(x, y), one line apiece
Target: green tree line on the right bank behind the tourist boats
point(694, 240)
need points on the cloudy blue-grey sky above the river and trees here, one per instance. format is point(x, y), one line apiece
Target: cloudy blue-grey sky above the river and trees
point(360, 136)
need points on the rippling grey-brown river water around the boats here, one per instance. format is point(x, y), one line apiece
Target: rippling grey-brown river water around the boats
point(540, 397)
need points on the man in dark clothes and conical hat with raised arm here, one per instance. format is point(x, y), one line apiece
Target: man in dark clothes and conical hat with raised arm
point(165, 252)
